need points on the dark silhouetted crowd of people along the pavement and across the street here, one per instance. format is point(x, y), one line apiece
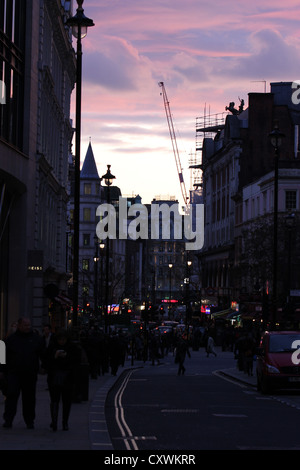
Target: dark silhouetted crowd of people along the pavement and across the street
point(56, 354)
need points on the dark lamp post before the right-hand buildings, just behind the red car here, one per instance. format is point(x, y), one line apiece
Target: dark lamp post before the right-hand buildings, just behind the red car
point(276, 140)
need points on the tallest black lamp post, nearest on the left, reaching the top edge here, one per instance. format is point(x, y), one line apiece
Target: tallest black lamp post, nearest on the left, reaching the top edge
point(79, 24)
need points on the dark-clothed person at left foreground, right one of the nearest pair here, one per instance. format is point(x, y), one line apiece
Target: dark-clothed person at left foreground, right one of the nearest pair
point(62, 360)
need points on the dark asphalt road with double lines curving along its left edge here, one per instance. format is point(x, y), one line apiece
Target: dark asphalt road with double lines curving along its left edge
point(152, 408)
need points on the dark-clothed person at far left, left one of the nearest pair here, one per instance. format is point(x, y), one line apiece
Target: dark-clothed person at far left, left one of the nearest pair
point(24, 350)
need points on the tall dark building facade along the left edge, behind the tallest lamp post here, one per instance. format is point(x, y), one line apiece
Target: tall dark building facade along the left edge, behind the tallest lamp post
point(37, 66)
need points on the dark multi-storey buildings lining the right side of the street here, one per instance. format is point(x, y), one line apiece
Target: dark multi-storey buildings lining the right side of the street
point(238, 184)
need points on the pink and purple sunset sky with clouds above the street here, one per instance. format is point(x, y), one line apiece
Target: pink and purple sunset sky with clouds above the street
point(207, 54)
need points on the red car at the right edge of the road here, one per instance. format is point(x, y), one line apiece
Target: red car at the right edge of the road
point(278, 361)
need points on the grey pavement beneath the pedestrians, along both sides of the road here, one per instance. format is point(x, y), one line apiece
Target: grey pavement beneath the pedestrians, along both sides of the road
point(87, 423)
